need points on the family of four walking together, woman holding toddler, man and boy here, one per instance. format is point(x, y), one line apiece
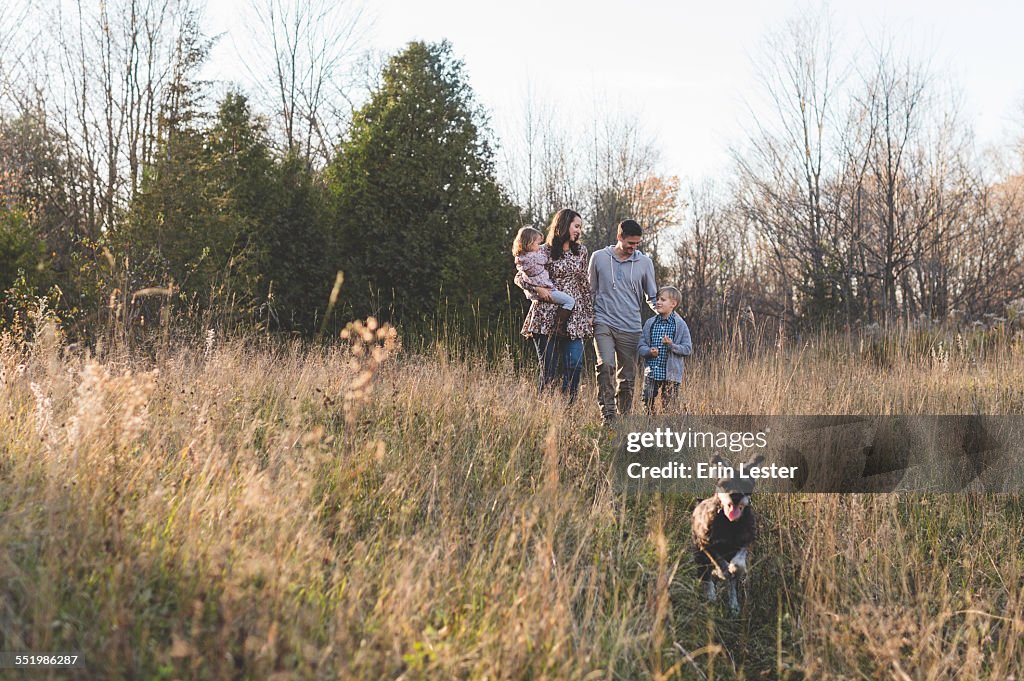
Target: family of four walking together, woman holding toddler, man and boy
point(575, 299)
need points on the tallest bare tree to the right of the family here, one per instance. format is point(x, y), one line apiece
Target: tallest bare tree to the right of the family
point(785, 171)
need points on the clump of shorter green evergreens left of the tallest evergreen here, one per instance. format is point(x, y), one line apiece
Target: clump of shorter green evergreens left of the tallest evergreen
point(243, 236)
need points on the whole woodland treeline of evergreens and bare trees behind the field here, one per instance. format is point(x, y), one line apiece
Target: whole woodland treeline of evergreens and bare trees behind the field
point(134, 192)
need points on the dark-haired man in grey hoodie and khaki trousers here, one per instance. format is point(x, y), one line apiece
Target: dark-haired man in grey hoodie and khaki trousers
point(622, 279)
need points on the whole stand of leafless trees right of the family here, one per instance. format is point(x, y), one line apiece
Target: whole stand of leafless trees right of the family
point(867, 202)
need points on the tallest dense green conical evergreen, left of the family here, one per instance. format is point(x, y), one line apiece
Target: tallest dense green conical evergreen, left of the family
point(421, 220)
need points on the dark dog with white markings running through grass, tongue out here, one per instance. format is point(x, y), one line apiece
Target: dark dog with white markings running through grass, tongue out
point(724, 528)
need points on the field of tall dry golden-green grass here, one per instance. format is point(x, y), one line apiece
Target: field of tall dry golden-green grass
point(246, 510)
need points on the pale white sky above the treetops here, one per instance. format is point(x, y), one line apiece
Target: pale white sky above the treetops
point(686, 70)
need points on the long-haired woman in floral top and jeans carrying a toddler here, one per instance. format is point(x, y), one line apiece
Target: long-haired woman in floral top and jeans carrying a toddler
point(569, 272)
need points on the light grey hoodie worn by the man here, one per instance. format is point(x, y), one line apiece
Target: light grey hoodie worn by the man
point(620, 288)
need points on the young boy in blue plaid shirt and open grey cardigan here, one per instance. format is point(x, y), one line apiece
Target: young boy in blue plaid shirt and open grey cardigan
point(664, 344)
